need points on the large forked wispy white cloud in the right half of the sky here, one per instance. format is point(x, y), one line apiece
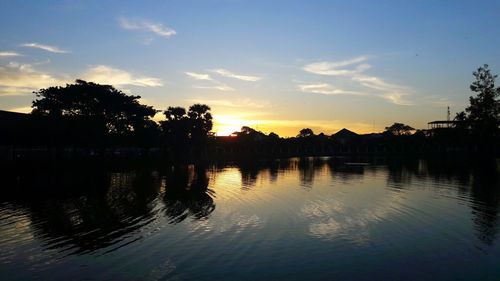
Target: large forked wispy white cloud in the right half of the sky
point(354, 70)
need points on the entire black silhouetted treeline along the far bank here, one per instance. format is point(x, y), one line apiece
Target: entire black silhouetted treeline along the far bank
point(98, 118)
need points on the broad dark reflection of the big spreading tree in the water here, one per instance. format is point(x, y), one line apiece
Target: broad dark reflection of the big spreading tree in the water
point(86, 209)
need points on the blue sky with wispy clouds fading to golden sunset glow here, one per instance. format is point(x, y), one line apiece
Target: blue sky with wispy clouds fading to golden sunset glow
point(276, 66)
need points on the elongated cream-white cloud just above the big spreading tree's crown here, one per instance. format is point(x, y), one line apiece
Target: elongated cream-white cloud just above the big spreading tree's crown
point(117, 77)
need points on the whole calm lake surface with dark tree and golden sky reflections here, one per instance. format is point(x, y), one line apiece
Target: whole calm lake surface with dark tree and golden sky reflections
point(295, 219)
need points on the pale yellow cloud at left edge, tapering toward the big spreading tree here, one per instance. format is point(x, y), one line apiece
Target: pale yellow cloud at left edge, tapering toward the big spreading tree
point(21, 79)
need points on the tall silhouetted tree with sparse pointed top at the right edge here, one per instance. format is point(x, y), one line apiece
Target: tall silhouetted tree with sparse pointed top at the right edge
point(484, 111)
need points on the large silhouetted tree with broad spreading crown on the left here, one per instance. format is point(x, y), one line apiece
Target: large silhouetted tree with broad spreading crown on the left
point(120, 113)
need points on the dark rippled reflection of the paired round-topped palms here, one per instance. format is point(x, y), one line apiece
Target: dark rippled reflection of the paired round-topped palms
point(187, 193)
